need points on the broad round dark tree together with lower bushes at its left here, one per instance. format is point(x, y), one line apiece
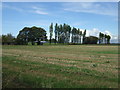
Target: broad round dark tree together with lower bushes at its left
point(26, 35)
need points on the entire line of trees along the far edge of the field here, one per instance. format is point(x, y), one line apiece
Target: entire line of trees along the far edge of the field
point(62, 34)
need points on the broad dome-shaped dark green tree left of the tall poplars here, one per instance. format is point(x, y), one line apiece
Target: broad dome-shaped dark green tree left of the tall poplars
point(31, 35)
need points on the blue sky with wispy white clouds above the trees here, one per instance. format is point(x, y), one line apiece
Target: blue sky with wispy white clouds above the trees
point(93, 16)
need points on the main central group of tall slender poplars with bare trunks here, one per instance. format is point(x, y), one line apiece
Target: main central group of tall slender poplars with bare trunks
point(64, 32)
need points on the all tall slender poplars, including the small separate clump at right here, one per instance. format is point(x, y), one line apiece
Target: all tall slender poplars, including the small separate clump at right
point(64, 32)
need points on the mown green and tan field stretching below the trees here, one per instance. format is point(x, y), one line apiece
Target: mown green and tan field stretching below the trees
point(60, 66)
